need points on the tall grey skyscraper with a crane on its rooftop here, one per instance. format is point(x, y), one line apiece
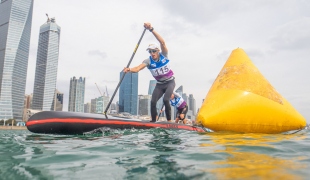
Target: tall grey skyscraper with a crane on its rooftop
point(46, 67)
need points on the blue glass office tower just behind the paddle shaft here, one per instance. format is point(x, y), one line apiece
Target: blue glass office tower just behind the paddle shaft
point(128, 93)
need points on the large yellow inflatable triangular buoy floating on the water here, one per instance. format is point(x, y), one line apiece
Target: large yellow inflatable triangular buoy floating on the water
point(242, 100)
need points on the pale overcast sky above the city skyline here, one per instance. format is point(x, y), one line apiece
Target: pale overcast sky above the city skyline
point(98, 38)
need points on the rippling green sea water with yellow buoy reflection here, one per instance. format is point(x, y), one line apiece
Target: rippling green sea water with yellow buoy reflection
point(154, 154)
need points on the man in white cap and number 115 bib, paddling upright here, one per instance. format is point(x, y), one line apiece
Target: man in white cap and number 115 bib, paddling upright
point(159, 66)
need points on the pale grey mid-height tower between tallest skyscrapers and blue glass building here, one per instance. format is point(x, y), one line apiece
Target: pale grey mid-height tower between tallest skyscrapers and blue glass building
point(76, 95)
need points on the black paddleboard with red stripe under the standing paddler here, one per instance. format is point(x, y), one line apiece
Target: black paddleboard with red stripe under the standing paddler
point(58, 122)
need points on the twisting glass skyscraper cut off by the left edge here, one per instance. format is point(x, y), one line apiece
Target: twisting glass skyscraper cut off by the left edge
point(15, 28)
